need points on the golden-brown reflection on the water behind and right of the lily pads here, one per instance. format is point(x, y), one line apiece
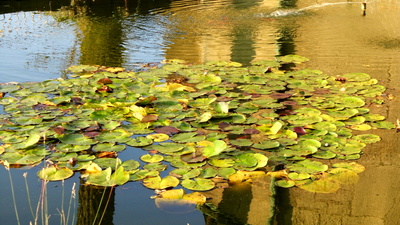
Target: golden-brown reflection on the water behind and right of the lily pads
point(338, 39)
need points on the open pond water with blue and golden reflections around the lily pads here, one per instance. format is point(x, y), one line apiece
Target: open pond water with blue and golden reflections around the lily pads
point(40, 39)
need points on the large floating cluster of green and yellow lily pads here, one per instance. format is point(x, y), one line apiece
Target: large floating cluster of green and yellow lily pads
point(201, 123)
